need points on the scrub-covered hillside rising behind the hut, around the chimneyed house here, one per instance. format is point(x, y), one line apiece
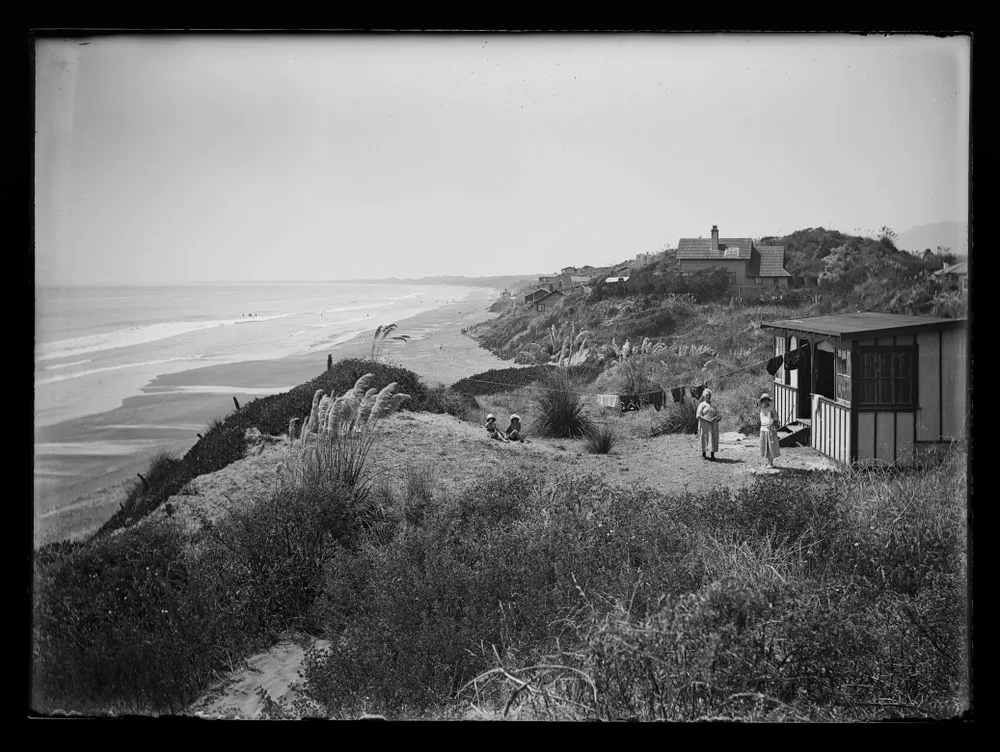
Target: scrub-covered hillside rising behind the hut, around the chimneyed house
point(701, 311)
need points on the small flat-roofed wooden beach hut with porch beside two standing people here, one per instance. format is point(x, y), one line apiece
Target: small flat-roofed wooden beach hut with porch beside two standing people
point(871, 388)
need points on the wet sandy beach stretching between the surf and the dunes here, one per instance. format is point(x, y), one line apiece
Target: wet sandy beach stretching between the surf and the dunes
point(88, 463)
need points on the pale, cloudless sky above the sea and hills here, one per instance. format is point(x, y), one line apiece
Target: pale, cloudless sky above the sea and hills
point(191, 158)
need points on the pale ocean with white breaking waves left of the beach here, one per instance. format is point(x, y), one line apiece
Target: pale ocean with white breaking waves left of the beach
point(97, 347)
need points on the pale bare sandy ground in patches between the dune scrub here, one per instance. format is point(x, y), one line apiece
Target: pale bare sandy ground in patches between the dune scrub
point(459, 454)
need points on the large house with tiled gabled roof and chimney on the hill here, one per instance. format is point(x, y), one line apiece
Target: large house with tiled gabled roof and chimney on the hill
point(745, 263)
